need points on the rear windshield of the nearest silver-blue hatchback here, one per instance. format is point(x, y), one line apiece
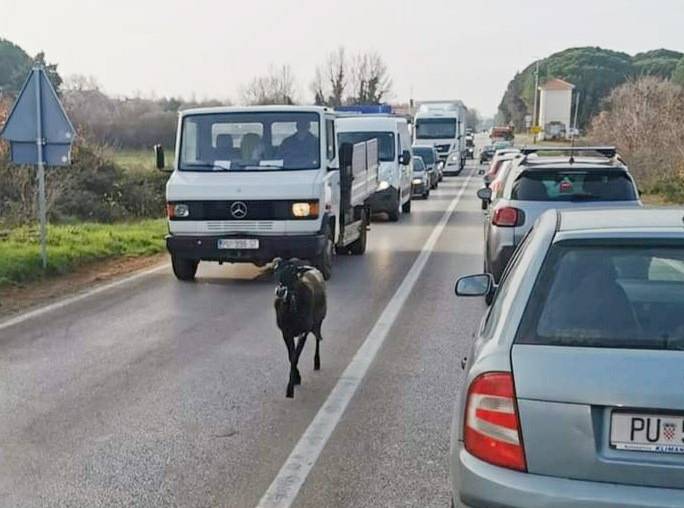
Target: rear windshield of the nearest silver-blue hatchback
point(616, 296)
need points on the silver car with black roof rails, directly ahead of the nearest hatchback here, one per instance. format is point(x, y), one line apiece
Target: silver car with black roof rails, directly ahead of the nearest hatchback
point(596, 177)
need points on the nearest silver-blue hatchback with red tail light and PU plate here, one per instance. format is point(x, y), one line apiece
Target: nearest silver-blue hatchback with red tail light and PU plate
point(574, 387)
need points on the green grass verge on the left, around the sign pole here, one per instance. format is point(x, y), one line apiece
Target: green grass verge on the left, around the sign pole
point(71, 246)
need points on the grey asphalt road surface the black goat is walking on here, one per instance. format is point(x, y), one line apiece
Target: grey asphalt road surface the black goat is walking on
point(162, 393)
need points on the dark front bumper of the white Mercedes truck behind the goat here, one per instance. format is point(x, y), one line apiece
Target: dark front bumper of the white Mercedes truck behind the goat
point(205, 248)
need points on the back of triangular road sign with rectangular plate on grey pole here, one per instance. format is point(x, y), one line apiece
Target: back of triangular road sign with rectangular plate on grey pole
point(21, 128)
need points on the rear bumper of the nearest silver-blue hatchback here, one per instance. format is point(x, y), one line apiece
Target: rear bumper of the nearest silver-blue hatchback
point(478, 484)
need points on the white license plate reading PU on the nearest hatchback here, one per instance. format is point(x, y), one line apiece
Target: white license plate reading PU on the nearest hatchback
point(660, 433)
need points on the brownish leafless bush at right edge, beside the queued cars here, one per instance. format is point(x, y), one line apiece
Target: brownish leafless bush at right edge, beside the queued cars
point(644, 119)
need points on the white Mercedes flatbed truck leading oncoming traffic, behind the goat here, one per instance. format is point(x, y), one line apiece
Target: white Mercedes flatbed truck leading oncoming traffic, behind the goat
point(253, 183)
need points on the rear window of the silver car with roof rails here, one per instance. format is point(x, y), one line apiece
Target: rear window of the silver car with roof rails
point(571, 185)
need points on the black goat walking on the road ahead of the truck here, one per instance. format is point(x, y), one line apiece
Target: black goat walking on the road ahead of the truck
point(301, 306)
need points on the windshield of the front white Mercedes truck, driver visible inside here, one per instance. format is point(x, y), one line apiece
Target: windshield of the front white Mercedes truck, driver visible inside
point(250, 141)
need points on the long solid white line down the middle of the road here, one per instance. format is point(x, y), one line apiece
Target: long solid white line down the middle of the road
point(286, 485)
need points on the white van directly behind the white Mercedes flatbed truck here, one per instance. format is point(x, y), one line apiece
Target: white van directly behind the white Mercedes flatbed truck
point(393, 195)
